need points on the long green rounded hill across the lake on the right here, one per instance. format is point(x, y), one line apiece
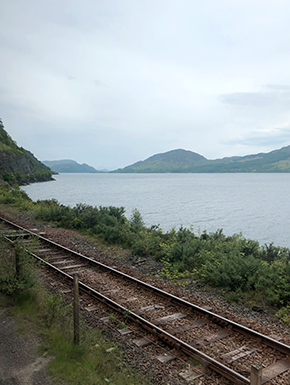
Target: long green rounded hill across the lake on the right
point(182, 161)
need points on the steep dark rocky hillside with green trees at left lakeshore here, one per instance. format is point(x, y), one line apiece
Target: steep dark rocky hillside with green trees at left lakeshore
point(18, 165)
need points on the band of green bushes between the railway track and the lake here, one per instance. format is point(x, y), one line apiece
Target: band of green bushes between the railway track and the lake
point(242, 268)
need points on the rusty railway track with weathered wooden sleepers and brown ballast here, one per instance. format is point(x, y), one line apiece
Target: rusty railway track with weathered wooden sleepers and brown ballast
point(217, 343)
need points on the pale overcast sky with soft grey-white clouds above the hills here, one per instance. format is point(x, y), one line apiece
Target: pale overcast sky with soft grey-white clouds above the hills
point(112, 82)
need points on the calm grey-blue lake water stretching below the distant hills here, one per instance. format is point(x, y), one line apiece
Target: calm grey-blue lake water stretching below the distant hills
point(255, 204)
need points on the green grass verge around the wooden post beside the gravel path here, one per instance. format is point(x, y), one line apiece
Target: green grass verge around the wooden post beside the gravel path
point(35, 309)
